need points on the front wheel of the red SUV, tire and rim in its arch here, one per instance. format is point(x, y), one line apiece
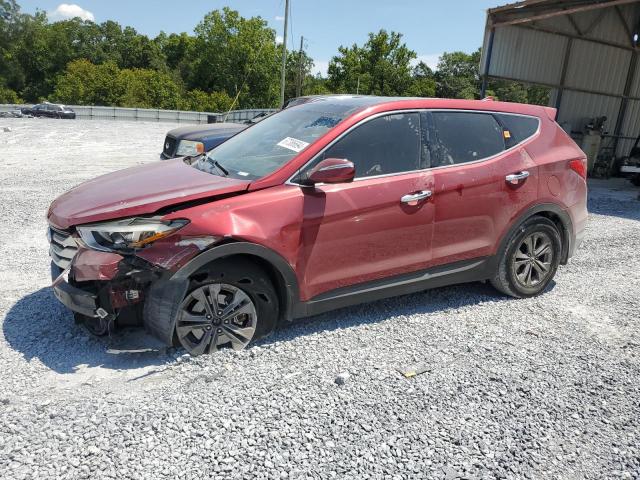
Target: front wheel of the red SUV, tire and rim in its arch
point(230, 303)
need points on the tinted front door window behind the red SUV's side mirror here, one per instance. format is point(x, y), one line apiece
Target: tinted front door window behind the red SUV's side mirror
point(384, 145)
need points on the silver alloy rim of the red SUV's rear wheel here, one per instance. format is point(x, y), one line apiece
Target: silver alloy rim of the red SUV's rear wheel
point(532, 261)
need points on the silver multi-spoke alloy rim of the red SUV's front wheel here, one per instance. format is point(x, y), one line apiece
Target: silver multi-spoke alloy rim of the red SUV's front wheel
point(214, 316)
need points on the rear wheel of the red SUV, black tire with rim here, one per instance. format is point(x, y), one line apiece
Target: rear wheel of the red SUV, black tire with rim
point(530, 259)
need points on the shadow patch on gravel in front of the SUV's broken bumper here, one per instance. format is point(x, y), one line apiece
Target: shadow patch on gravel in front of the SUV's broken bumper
point(38, 326)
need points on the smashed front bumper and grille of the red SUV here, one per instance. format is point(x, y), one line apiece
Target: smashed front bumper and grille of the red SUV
point(138, 288)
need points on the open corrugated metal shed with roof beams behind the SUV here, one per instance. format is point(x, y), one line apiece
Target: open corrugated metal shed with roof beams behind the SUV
point(585, 51)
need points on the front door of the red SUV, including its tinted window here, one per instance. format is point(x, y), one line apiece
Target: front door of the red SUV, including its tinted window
point(369, 229)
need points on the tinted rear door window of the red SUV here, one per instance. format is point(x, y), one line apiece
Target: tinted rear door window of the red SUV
point(453, 137)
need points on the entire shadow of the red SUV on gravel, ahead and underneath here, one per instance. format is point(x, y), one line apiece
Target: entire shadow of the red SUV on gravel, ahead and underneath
point(38, 326)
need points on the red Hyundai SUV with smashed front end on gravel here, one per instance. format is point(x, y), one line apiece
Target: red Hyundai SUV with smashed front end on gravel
point(317, 207)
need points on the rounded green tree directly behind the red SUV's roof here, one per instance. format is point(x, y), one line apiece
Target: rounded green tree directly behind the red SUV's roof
point(381, 67)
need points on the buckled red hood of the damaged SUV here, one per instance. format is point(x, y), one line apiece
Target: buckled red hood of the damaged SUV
point(137, 191)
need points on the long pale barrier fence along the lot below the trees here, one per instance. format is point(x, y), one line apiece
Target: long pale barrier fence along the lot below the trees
point(153, 115)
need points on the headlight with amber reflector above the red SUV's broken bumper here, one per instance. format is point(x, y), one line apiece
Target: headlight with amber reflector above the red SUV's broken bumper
point(127, 234)
